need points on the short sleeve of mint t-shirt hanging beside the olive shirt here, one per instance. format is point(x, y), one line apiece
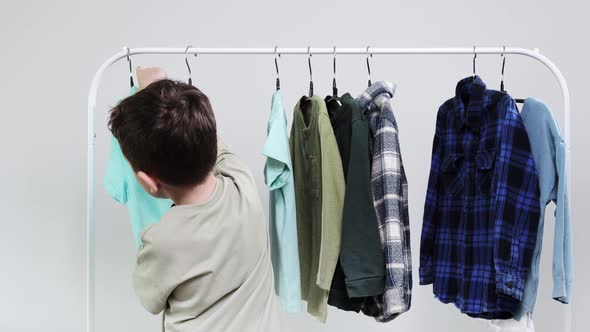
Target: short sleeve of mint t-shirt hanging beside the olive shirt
point(276, 150)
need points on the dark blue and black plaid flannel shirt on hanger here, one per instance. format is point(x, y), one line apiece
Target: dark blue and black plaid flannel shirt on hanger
point(482, 204)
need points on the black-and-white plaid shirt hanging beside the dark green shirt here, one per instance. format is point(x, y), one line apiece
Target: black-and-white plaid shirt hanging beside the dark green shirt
point(390, 198)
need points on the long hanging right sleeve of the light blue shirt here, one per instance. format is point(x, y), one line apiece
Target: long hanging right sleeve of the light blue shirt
point(562, 241)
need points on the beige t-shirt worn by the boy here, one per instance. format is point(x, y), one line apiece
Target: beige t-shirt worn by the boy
point(207, 266)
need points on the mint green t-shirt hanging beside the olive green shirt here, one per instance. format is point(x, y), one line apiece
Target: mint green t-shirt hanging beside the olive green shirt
point(278, 175)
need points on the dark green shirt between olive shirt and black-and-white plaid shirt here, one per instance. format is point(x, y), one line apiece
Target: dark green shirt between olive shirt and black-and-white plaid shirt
point(360, 273)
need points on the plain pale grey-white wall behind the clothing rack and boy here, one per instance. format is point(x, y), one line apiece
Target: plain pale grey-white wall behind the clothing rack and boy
point(49, 51)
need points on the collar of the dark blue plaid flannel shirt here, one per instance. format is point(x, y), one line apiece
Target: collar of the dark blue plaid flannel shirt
point(474, 89)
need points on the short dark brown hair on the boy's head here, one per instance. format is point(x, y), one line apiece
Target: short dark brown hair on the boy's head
point(167, 130)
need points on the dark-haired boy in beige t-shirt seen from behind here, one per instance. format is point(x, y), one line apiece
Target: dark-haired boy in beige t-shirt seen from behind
point(207, 263)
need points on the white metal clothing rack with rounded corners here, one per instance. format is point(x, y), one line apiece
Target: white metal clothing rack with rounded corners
point(97, 79)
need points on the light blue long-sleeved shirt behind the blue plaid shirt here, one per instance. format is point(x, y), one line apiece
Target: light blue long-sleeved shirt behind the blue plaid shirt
point(549, 153)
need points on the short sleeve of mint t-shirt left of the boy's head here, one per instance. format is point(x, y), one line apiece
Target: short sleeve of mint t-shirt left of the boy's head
point(115, 181)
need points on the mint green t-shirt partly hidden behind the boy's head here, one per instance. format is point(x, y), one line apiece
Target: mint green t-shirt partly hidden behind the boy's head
point(120, 183)
